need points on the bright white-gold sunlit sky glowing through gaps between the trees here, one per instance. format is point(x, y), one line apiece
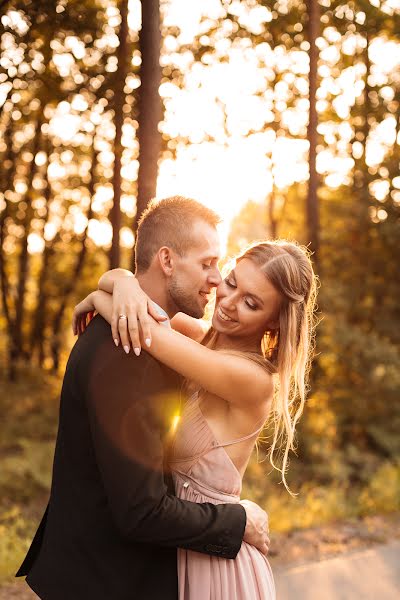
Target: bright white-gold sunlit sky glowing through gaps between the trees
point(237, 152)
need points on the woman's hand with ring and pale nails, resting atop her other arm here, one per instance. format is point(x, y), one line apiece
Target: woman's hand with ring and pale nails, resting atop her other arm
point(130, 301)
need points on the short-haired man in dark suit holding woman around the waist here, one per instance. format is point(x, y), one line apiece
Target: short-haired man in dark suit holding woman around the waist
point(112, 525)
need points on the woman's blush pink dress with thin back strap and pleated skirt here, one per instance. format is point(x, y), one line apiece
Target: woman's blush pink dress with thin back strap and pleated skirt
point(203, 472)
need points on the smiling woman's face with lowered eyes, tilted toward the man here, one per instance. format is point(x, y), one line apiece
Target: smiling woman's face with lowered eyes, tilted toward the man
point(247, 304)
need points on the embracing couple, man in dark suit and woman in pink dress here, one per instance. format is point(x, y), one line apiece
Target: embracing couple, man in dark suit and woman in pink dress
point(139, 509)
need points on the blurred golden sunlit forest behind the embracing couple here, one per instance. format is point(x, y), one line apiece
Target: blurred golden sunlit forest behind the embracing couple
point(283, 116)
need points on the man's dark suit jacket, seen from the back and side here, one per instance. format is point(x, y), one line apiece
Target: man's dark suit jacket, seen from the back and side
point(112, 526)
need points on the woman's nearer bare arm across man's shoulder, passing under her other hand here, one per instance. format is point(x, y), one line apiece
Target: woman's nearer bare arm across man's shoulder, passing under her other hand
point(233, 378)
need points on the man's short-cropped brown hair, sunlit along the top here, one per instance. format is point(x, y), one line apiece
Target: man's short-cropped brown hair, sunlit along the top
point(169, 222)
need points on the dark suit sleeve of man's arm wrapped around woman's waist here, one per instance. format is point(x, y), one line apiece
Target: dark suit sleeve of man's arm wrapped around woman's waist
point(122, 407)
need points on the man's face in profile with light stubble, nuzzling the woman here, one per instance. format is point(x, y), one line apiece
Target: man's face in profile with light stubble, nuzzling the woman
point(196, 273)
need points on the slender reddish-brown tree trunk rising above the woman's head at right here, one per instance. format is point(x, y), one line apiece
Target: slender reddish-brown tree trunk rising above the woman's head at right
point(312, 209)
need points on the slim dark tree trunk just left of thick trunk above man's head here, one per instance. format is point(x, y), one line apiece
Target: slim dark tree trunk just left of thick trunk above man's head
point(119, 100)
